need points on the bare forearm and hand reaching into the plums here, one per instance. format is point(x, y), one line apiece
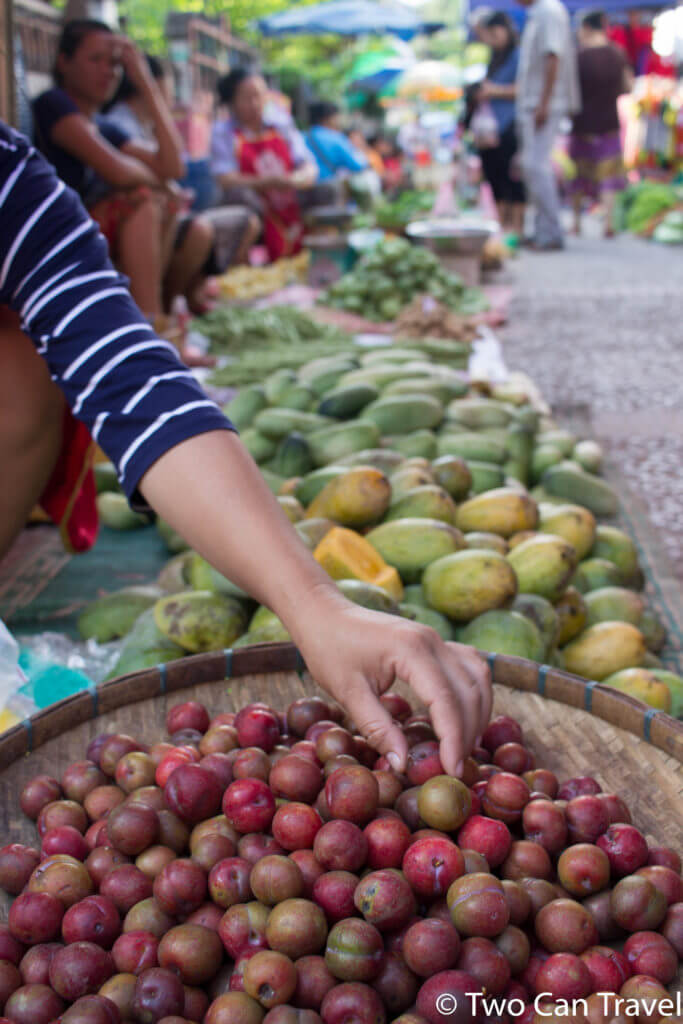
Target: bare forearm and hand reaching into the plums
point(211, 492)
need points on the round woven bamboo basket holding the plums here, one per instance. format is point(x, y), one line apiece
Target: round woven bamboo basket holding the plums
point(574, 728)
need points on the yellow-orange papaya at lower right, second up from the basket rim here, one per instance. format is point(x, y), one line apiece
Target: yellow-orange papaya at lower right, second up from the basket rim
point(606, 649)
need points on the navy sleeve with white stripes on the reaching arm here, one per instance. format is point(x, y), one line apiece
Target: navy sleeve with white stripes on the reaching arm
point(127, 386)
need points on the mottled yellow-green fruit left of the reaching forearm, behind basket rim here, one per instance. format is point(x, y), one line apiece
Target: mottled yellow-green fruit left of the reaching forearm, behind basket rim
point(200, 621)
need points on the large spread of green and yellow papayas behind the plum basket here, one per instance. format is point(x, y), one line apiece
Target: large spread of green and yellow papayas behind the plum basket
point(422, 497)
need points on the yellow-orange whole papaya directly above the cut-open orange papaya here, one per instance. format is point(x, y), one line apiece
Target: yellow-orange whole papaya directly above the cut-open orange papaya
point(358, 498)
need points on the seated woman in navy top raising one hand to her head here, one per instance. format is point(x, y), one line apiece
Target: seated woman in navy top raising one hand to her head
point(123, 182)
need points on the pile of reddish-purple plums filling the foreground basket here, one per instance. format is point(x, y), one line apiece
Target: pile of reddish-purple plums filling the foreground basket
point(269, 868)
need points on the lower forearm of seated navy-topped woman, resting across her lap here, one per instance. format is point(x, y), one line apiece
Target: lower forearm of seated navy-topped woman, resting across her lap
point(78, 136)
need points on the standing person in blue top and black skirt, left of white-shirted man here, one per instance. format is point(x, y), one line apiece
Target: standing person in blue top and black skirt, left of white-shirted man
point(499, 91)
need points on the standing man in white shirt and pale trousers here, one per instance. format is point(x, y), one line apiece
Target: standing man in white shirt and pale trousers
point(547, 93)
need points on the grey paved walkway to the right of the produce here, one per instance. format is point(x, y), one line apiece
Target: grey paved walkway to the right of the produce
point(600, 327)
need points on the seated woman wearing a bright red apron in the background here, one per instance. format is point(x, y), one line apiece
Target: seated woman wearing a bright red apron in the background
point(263, 161)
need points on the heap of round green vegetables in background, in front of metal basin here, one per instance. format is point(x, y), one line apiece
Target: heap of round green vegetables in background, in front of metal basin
point(390, 277)
